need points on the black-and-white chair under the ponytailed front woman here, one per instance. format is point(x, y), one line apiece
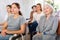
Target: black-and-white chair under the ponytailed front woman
point(22, 36)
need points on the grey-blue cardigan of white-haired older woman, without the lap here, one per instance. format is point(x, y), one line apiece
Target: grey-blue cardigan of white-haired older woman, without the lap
point(49, 26)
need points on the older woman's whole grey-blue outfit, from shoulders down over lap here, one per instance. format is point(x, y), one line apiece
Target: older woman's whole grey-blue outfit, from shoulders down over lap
point(47, 28)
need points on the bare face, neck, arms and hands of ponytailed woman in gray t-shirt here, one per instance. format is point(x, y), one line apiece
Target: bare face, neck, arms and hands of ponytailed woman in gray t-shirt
point(15, 10)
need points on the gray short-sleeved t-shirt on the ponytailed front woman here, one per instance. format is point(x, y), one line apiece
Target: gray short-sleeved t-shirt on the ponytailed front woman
point(14, 24)
